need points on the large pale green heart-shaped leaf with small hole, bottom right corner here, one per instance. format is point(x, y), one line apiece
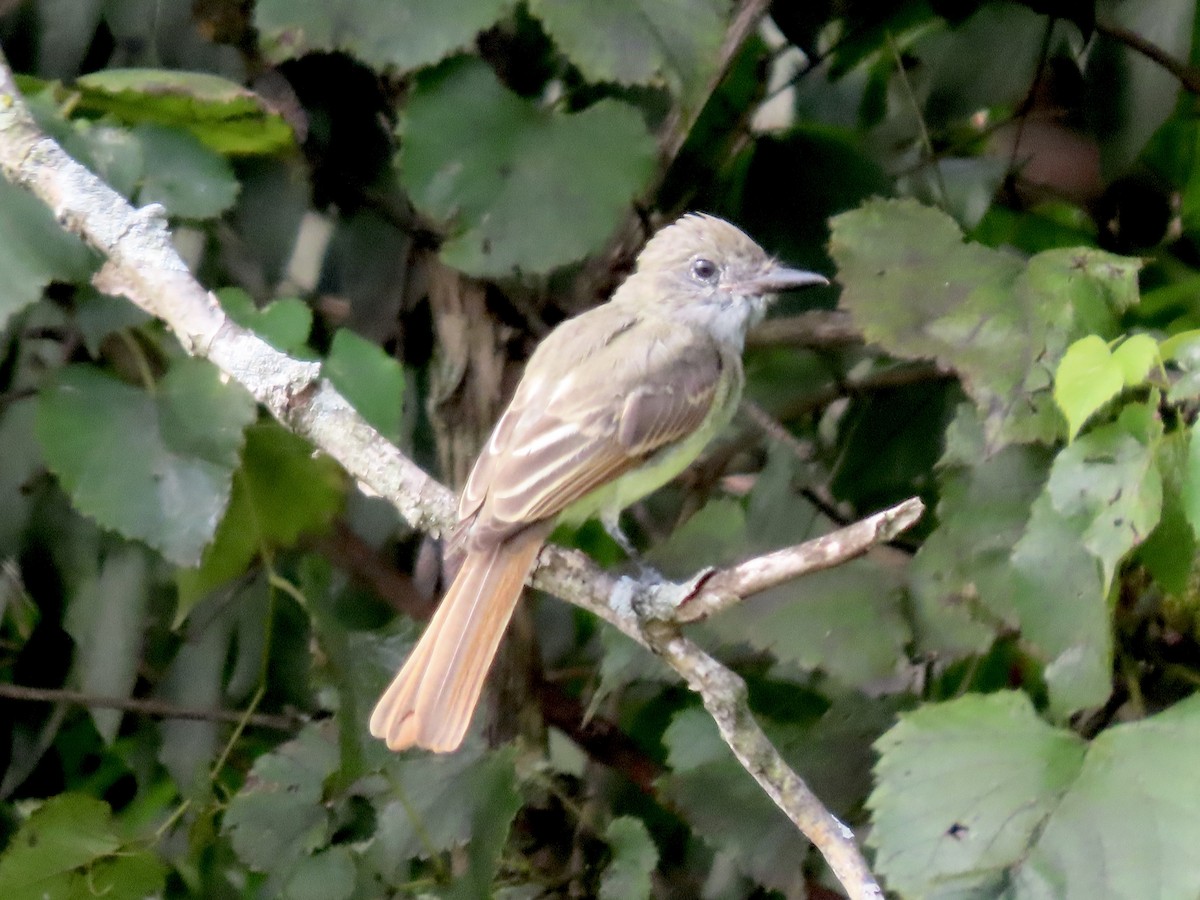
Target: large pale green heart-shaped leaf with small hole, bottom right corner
point(1051, 807)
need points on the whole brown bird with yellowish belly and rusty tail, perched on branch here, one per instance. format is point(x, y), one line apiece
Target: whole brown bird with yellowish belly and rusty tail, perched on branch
point(614, 404)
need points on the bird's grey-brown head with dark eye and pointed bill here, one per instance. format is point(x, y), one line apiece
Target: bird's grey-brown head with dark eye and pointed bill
point(706, 267)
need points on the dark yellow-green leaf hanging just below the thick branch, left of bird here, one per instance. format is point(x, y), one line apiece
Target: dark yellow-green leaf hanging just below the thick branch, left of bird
point(280, 494)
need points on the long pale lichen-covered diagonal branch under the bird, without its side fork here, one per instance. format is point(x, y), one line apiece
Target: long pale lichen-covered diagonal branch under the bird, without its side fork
point(142, 265)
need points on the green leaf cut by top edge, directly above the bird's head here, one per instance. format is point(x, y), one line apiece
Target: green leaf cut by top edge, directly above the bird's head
point(640, 41)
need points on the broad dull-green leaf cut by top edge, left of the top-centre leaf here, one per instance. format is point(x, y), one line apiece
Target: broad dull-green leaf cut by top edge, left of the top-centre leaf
point(405, 37)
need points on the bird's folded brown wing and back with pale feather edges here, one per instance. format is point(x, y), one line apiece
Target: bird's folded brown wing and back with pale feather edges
point(573, 428)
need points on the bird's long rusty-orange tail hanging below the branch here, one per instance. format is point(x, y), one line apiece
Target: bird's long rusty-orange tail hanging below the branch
point(431, 701)
